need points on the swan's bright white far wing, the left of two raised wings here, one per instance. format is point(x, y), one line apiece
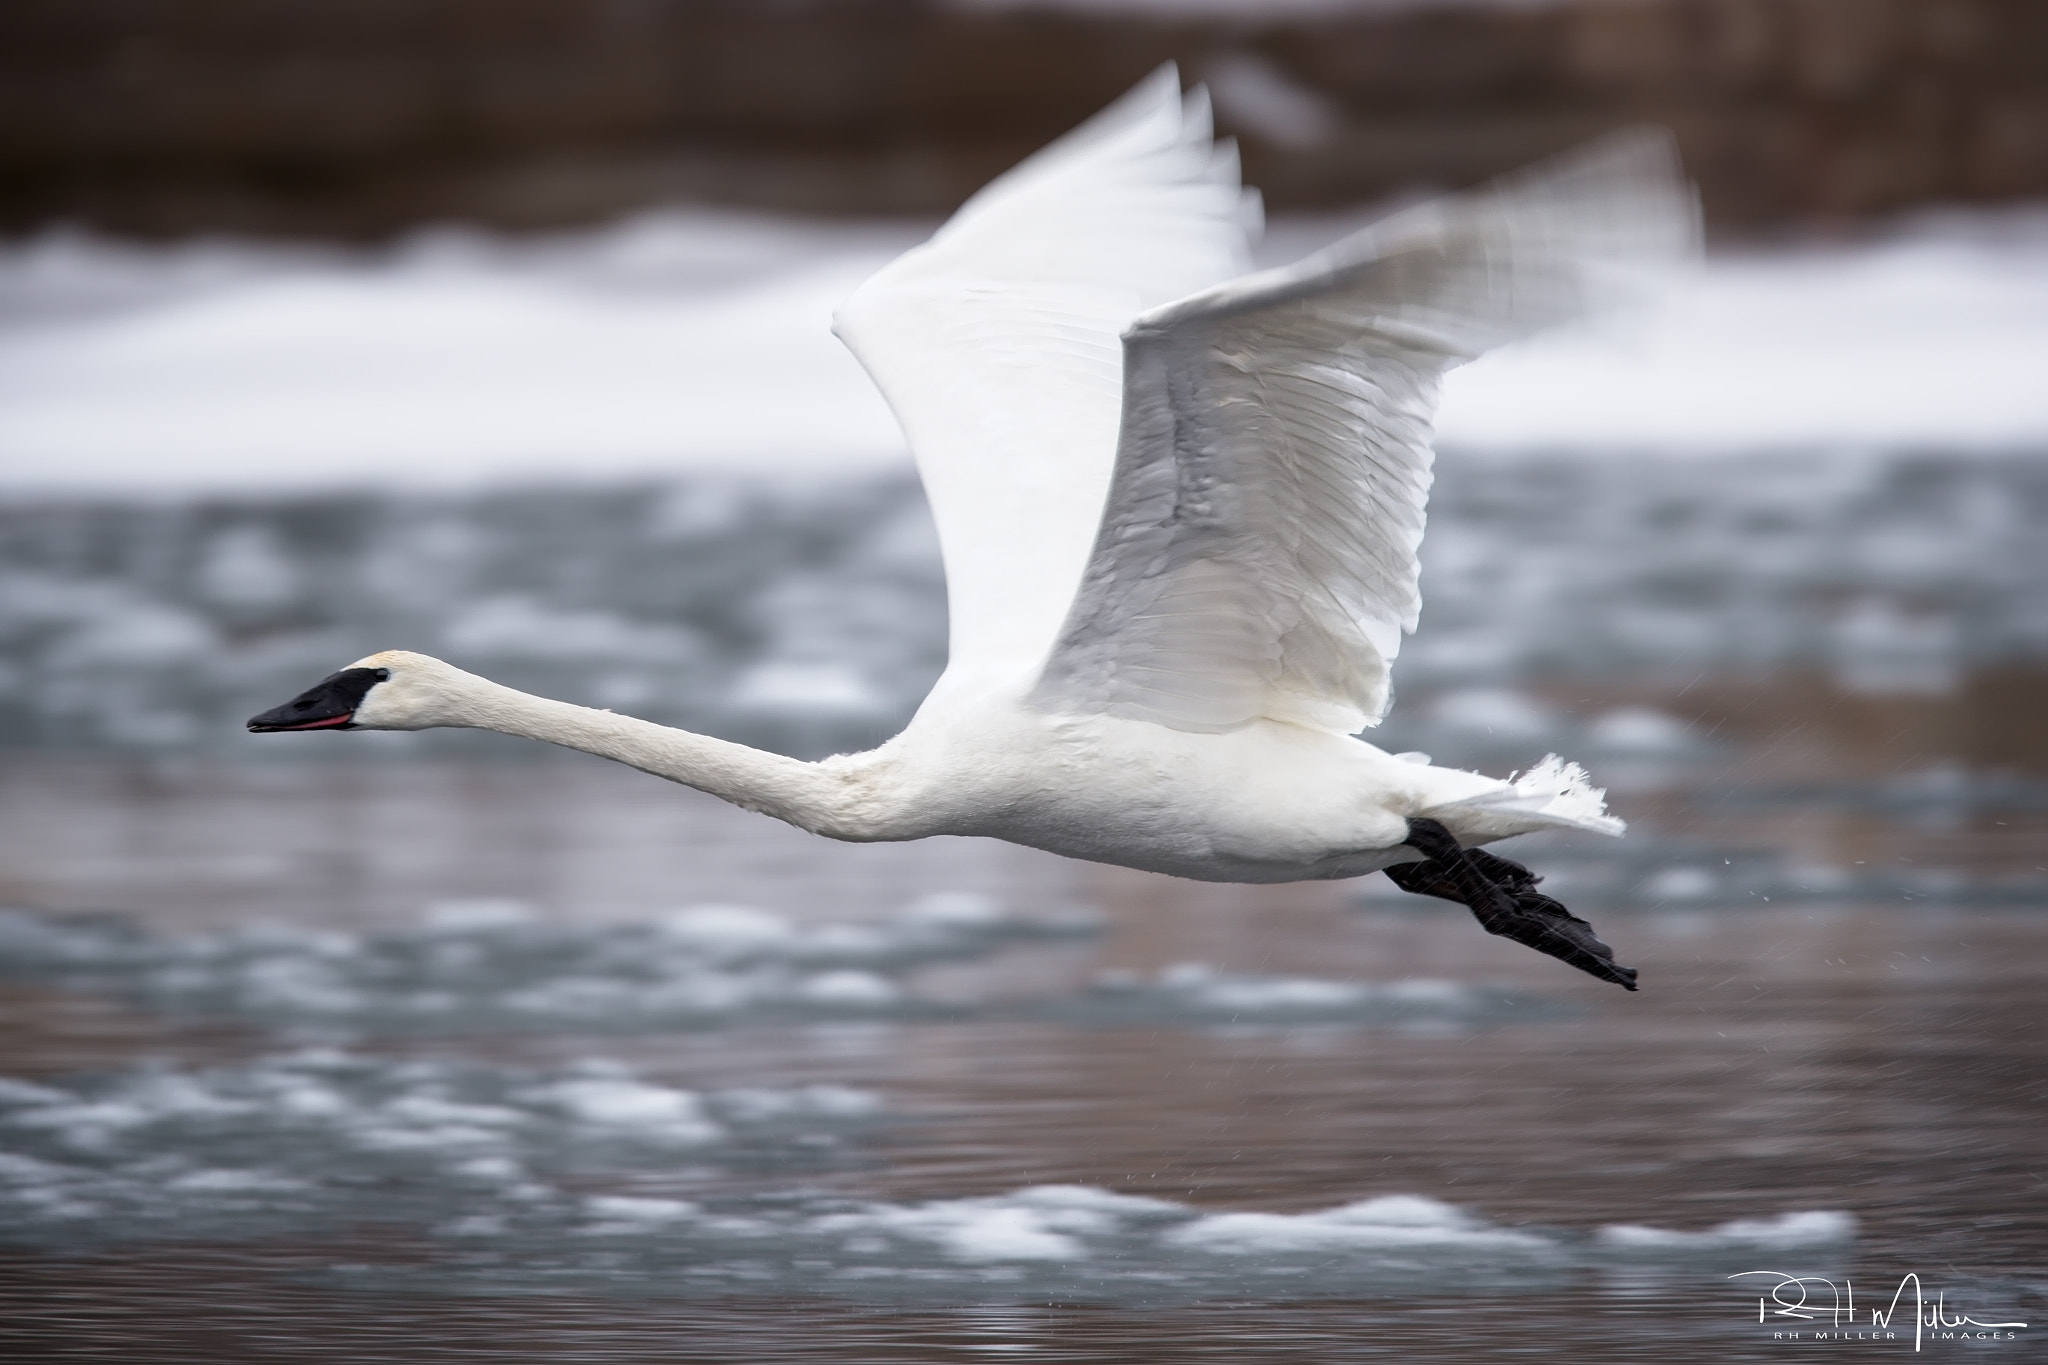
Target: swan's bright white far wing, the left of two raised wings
point(996, 345)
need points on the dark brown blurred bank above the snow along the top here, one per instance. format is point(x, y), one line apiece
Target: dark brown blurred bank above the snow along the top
point(370, 116)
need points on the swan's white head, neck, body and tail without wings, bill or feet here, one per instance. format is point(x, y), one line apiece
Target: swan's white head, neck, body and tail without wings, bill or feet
point(1263, 803)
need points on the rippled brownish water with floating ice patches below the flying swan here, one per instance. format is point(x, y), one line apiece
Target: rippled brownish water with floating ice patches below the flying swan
point(550, 1061)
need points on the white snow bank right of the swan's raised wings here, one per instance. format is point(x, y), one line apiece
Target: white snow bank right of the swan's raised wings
point(1930, 341)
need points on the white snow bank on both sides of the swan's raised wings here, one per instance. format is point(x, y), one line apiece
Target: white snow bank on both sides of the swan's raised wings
point(701, 341)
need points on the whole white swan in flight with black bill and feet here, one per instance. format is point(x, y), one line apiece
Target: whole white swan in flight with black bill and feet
point(1179, 507)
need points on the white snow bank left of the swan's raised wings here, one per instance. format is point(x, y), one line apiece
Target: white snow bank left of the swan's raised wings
point(431, 367)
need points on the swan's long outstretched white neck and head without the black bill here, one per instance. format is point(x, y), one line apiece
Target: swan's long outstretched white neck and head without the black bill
point(837, 797)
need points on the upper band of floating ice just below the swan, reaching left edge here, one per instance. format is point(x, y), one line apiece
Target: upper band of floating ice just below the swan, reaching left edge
point(497, 965)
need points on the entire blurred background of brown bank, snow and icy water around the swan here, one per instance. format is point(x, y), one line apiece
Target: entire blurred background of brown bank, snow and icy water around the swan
point(501, 331)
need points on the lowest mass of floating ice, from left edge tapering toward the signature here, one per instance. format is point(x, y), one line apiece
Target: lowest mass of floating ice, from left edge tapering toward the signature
point(597, 1176)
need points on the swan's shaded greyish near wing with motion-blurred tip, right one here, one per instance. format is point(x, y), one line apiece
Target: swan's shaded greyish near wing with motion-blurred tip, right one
point(1258, 549)
